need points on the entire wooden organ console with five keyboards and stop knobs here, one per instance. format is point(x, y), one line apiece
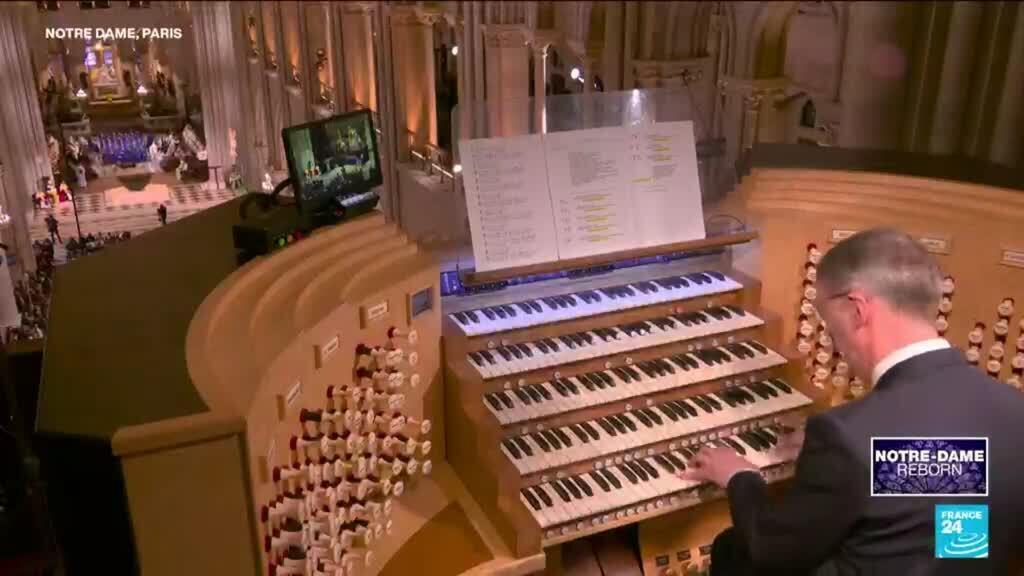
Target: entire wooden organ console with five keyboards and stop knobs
point(347, 408)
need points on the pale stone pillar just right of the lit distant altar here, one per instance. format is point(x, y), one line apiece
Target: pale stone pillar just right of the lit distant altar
point(228, 110)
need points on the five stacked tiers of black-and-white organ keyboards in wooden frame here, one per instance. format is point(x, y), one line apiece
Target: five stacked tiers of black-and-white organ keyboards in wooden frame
point(573, 404)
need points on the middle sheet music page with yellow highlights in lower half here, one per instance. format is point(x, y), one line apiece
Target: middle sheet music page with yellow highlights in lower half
point(589, 174)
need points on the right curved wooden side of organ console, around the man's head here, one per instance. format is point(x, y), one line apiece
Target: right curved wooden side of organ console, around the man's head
point(802, 200)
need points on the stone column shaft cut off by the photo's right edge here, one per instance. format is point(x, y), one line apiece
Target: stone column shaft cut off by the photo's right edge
point(1008, 144)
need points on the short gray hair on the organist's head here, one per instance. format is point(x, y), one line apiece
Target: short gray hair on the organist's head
point(890, 265)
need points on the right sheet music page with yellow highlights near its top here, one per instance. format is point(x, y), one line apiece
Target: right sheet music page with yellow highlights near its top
point(665, 188)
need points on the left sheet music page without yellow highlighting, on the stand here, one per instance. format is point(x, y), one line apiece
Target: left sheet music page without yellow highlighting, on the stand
point(508, 202)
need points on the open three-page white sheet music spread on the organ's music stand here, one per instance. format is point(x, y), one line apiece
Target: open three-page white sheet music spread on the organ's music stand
point(542, 198)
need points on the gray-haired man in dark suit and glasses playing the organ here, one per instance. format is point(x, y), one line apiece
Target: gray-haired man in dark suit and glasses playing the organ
point(878, 294)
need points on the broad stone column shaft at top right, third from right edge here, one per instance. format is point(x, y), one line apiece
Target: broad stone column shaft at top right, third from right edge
point(876, 69)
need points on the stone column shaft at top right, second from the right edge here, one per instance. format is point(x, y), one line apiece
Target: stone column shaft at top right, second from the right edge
point(955, 81)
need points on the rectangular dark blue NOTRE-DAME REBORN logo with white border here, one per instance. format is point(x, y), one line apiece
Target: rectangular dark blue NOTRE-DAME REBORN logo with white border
point(929, 467)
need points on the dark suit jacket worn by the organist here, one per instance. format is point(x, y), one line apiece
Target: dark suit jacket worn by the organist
point(828, 523)
